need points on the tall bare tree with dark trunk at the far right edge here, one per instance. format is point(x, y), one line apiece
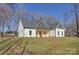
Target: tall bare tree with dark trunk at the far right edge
point(74, 26)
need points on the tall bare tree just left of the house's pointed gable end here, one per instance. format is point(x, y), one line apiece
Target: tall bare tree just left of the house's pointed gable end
point(18, 14)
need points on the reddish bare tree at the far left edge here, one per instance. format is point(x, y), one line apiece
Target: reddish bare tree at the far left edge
point(5, 14)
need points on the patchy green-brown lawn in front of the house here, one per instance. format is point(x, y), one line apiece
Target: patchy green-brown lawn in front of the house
point(40, 46)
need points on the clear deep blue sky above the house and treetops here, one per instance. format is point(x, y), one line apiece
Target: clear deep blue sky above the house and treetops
point(54, 9)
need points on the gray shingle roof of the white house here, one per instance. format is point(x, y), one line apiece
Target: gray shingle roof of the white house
point(39, 24)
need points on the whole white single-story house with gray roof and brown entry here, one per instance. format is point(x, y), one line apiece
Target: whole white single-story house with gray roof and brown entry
point(40, 28)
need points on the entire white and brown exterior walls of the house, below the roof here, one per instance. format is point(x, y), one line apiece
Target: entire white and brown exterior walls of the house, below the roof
point(35, 32)
